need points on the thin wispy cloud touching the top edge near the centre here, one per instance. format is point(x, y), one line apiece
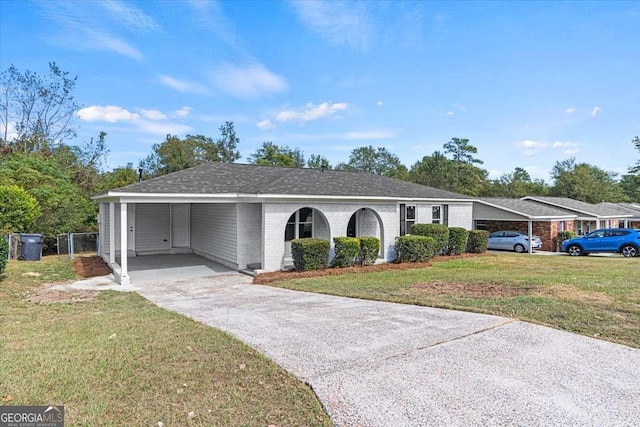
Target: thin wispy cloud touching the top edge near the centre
point(339, 23)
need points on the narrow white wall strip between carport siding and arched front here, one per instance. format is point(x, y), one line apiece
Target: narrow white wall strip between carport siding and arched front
point(249, 234)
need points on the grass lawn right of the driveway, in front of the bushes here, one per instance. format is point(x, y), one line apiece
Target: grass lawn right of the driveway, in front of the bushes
point(595, 296)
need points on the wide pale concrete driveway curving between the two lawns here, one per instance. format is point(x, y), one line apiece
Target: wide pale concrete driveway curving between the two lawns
point(384, 364)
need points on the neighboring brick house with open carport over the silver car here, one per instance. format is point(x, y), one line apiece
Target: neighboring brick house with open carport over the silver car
point(494, 214)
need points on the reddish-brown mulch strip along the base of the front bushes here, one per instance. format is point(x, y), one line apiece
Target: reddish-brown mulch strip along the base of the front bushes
point(278, 276)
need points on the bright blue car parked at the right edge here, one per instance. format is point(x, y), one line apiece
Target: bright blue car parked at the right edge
point(621, 240)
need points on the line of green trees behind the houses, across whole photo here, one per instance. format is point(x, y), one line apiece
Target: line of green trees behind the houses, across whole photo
point(46, 181)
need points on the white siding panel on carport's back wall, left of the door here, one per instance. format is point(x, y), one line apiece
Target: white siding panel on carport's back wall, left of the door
point(152, 227)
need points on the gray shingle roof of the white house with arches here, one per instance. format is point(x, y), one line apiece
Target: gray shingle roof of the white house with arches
point(230, 178)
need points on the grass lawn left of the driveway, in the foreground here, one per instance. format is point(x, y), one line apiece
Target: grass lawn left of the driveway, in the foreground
point(117, 359)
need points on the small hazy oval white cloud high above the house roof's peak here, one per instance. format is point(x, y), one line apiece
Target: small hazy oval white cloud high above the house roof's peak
point(248, 81)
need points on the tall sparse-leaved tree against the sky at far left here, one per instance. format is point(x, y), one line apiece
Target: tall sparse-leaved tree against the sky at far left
point(42, 109)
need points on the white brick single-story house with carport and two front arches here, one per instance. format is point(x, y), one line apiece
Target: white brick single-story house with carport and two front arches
point(245, 216)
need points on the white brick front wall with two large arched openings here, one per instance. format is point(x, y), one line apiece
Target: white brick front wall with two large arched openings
point(337, 216)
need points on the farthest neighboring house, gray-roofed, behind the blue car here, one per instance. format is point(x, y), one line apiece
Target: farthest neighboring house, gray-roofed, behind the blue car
point(589, 216)
